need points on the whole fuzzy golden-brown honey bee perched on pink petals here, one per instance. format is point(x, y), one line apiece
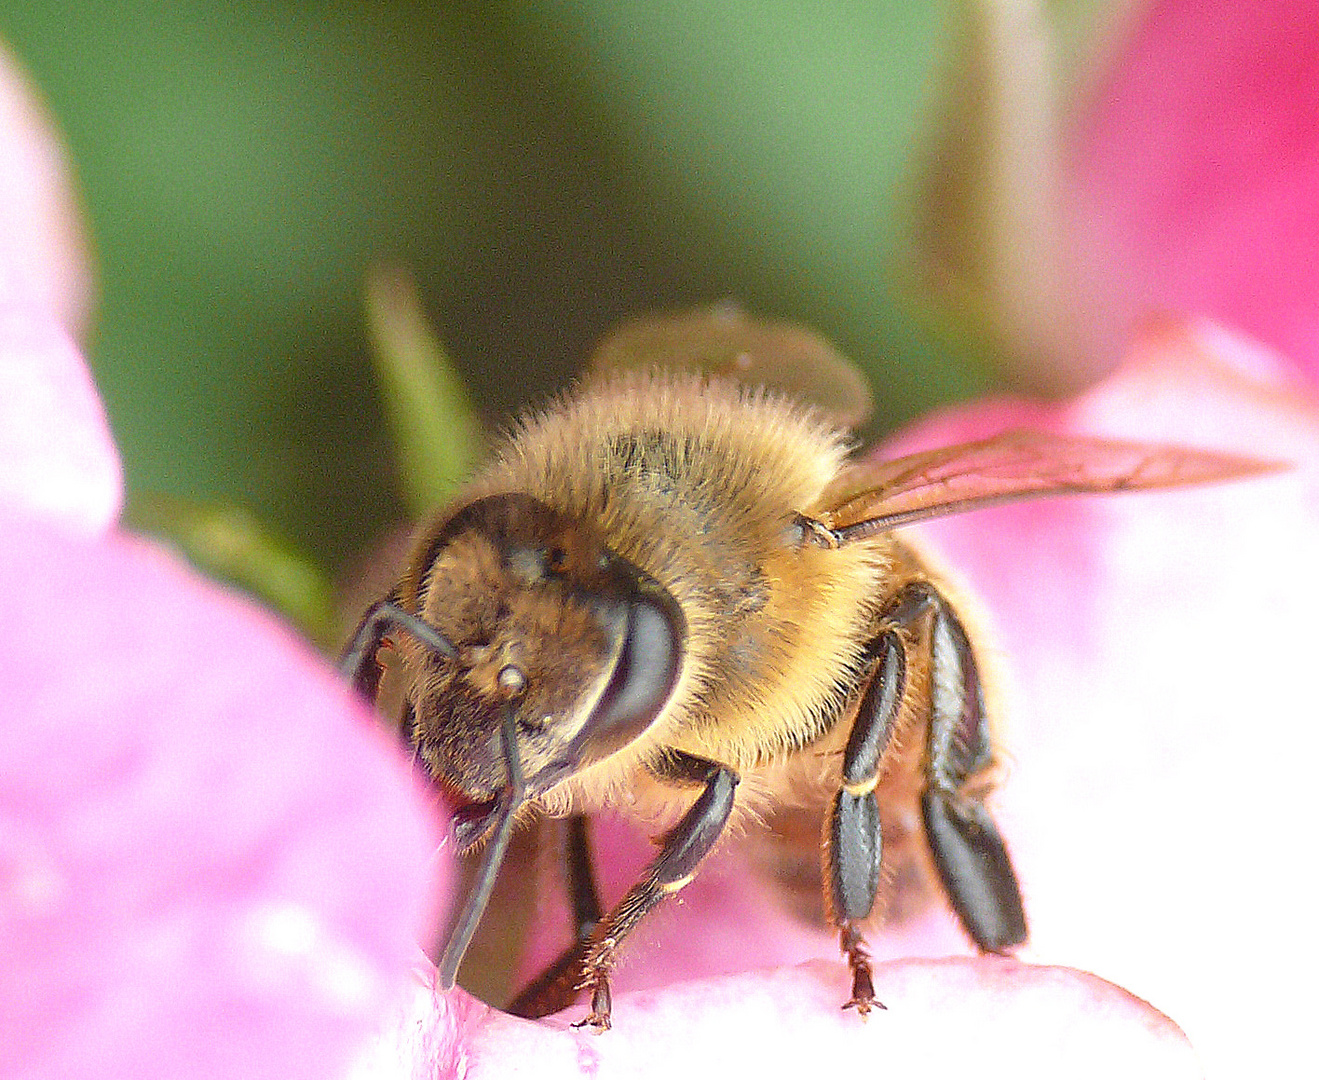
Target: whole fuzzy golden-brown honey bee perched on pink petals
point(677, 593)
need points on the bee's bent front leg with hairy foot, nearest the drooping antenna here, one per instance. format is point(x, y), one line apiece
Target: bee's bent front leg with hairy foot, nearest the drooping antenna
point(684, 849)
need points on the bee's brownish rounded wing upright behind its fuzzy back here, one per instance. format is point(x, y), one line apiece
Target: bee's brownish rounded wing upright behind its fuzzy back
point(726, 342)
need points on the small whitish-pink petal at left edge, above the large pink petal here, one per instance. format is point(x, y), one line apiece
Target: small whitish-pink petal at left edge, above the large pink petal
point(57, 458)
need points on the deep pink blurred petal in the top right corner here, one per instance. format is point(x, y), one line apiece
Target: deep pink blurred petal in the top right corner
point(1194, 179)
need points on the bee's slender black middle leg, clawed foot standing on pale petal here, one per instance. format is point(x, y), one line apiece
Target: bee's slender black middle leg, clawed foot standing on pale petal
point(854, 843)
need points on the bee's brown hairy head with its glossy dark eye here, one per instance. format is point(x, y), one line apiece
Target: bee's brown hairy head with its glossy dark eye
point(545, 620)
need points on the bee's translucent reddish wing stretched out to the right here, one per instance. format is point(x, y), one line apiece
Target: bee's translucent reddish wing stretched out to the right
point(875, 496)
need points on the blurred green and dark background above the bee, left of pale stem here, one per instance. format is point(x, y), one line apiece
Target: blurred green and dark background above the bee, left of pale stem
point(548, 169)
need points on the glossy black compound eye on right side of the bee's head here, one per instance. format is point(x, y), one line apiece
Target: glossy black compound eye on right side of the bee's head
point(642, 682)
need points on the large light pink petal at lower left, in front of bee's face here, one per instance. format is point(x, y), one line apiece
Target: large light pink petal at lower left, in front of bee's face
point(212, 862)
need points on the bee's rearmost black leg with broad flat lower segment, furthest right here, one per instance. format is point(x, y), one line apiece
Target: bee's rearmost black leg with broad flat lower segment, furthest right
point(969, 851)
